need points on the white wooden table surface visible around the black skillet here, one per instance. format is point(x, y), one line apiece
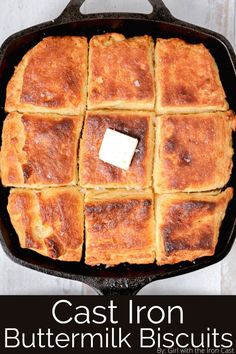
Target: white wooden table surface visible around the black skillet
point(218, 15)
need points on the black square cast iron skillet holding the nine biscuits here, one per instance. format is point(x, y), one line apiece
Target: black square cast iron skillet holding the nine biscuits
point(123, 279)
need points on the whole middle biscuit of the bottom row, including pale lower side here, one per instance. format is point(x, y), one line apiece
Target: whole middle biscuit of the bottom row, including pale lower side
point(119, 227)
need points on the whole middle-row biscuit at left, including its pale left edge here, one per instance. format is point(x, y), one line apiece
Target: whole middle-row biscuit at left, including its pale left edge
point(39, 150)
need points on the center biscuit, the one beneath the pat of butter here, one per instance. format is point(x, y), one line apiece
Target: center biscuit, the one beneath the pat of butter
point(94, 172)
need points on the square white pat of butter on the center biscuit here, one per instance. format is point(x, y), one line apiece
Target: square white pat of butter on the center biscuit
point(117, 149)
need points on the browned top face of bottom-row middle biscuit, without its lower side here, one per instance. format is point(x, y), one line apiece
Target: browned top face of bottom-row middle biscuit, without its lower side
point(120, 222)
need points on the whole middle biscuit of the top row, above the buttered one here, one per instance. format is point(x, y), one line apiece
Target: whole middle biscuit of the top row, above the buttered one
point(121, 72)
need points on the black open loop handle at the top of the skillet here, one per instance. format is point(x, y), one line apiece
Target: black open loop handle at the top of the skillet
point(72, 12)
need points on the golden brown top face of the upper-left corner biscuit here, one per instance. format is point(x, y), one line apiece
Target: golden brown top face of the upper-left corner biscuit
point(55, 73)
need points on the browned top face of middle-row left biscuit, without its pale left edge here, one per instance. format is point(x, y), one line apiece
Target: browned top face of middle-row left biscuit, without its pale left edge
point(50, 146)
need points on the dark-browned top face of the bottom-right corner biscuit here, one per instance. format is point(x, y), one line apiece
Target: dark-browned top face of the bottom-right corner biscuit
point(191, 223)
